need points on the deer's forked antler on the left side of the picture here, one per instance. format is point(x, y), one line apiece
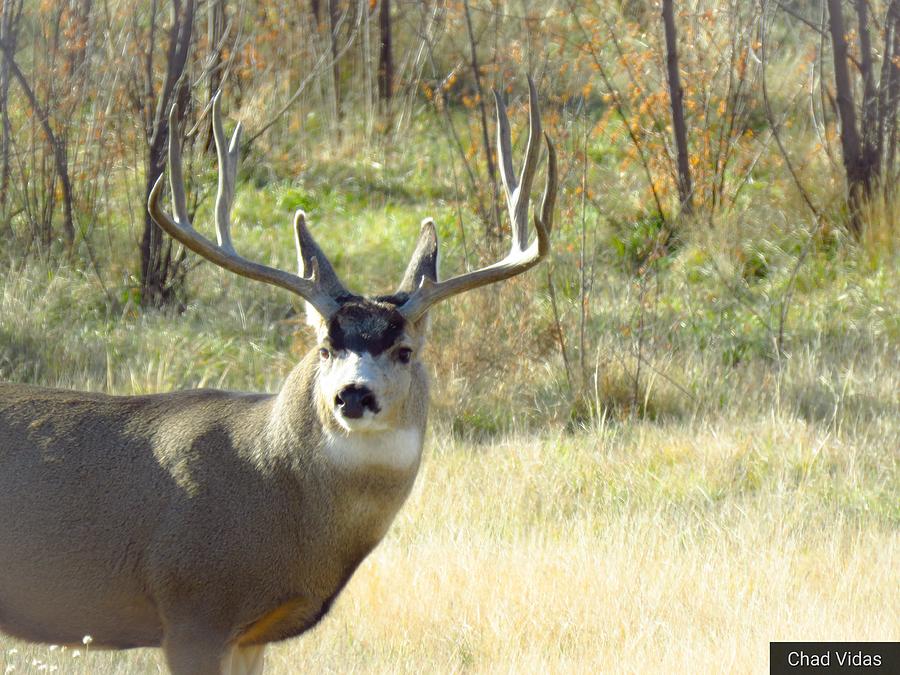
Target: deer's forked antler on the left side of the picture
point(320, 287)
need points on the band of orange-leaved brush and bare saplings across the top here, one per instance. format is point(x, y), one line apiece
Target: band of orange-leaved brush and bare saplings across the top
point(83, 86)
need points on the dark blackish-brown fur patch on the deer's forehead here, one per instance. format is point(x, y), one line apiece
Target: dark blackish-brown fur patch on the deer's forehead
point(365, 326)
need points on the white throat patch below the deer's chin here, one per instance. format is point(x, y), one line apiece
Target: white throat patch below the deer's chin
point(397, 449)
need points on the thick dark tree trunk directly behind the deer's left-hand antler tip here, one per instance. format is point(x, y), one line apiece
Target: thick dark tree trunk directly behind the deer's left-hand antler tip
point(157, 275)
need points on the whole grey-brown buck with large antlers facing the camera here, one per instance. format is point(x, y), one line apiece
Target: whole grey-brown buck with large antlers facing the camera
point(211, 523)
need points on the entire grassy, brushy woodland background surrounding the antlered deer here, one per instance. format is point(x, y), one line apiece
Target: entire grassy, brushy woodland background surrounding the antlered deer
point(671, 444)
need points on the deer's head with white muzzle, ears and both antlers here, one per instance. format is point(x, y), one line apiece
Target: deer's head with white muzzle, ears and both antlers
point(368, 347)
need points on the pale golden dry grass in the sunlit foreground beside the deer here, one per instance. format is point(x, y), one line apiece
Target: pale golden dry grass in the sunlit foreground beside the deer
point(642, 548)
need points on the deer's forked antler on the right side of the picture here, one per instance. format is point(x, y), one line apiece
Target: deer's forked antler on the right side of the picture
point(518, 193)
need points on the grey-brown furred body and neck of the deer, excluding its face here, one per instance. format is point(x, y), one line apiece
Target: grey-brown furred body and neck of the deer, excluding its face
point(186, 519)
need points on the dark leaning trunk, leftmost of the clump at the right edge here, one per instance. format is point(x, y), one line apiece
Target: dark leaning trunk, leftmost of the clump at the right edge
point(857, 183)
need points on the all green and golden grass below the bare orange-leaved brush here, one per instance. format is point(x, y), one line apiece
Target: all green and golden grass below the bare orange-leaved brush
point(718, 468)
